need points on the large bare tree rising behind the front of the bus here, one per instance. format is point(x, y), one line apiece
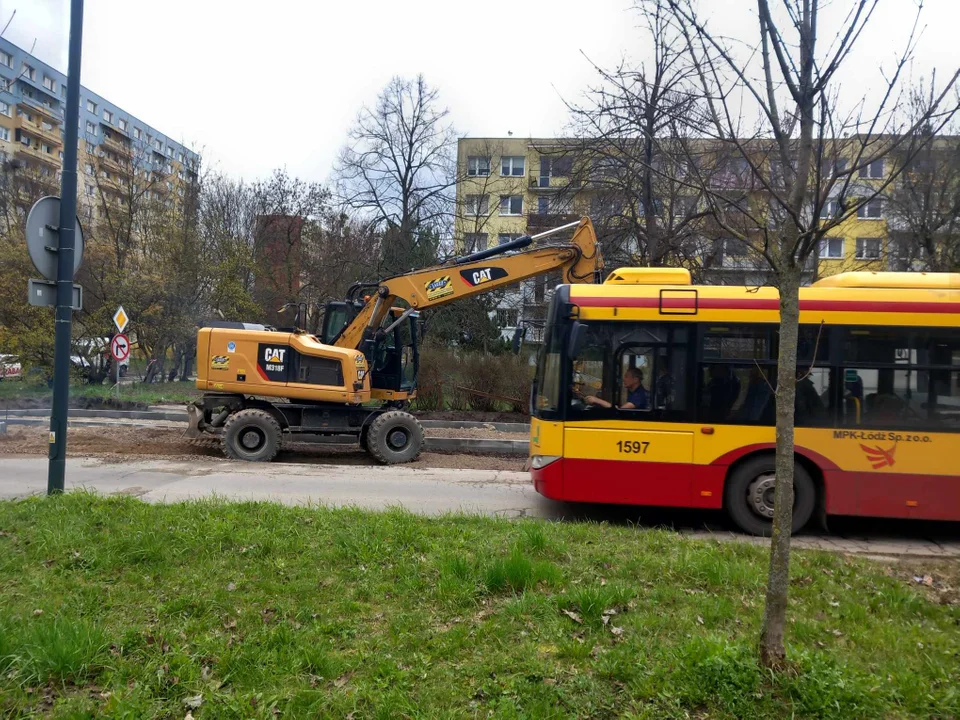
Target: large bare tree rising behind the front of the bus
point(623, 153)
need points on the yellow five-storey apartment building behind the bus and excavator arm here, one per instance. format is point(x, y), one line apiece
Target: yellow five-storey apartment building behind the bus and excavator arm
point(510, 186)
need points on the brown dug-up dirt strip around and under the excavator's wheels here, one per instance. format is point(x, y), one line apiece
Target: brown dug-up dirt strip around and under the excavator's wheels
point(120, 444)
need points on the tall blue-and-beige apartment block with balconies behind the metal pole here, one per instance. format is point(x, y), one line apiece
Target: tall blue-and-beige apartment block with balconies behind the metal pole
point(117, 153)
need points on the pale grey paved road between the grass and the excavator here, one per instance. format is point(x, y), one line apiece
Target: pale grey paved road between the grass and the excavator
point(433, 492)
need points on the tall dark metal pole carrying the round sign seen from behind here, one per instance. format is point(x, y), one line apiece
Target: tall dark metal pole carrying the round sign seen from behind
point(68, 222)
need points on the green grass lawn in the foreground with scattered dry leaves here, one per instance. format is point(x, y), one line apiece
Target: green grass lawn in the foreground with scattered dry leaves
point(116, 608)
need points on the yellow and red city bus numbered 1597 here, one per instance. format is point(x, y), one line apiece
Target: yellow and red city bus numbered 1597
point(652, 391)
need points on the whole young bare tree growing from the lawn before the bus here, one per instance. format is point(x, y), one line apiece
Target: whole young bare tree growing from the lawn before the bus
point(770, 109)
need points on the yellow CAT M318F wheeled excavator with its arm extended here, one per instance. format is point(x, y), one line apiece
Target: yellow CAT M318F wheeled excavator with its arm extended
point(353, 382)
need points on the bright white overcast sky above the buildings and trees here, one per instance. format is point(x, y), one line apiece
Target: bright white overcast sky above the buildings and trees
point(254, 86)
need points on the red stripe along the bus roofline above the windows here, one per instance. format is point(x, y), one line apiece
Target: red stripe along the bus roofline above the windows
point(675, 303)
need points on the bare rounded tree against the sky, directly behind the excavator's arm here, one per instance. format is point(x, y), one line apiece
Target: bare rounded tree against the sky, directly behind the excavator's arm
point(399, 167)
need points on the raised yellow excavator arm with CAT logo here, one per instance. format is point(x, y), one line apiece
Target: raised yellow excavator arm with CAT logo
point(579, 261)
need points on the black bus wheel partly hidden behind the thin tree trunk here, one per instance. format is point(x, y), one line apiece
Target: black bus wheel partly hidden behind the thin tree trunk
point(748, 496)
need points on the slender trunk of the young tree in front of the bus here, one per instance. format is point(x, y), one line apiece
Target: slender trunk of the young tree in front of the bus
point(772, 650)
